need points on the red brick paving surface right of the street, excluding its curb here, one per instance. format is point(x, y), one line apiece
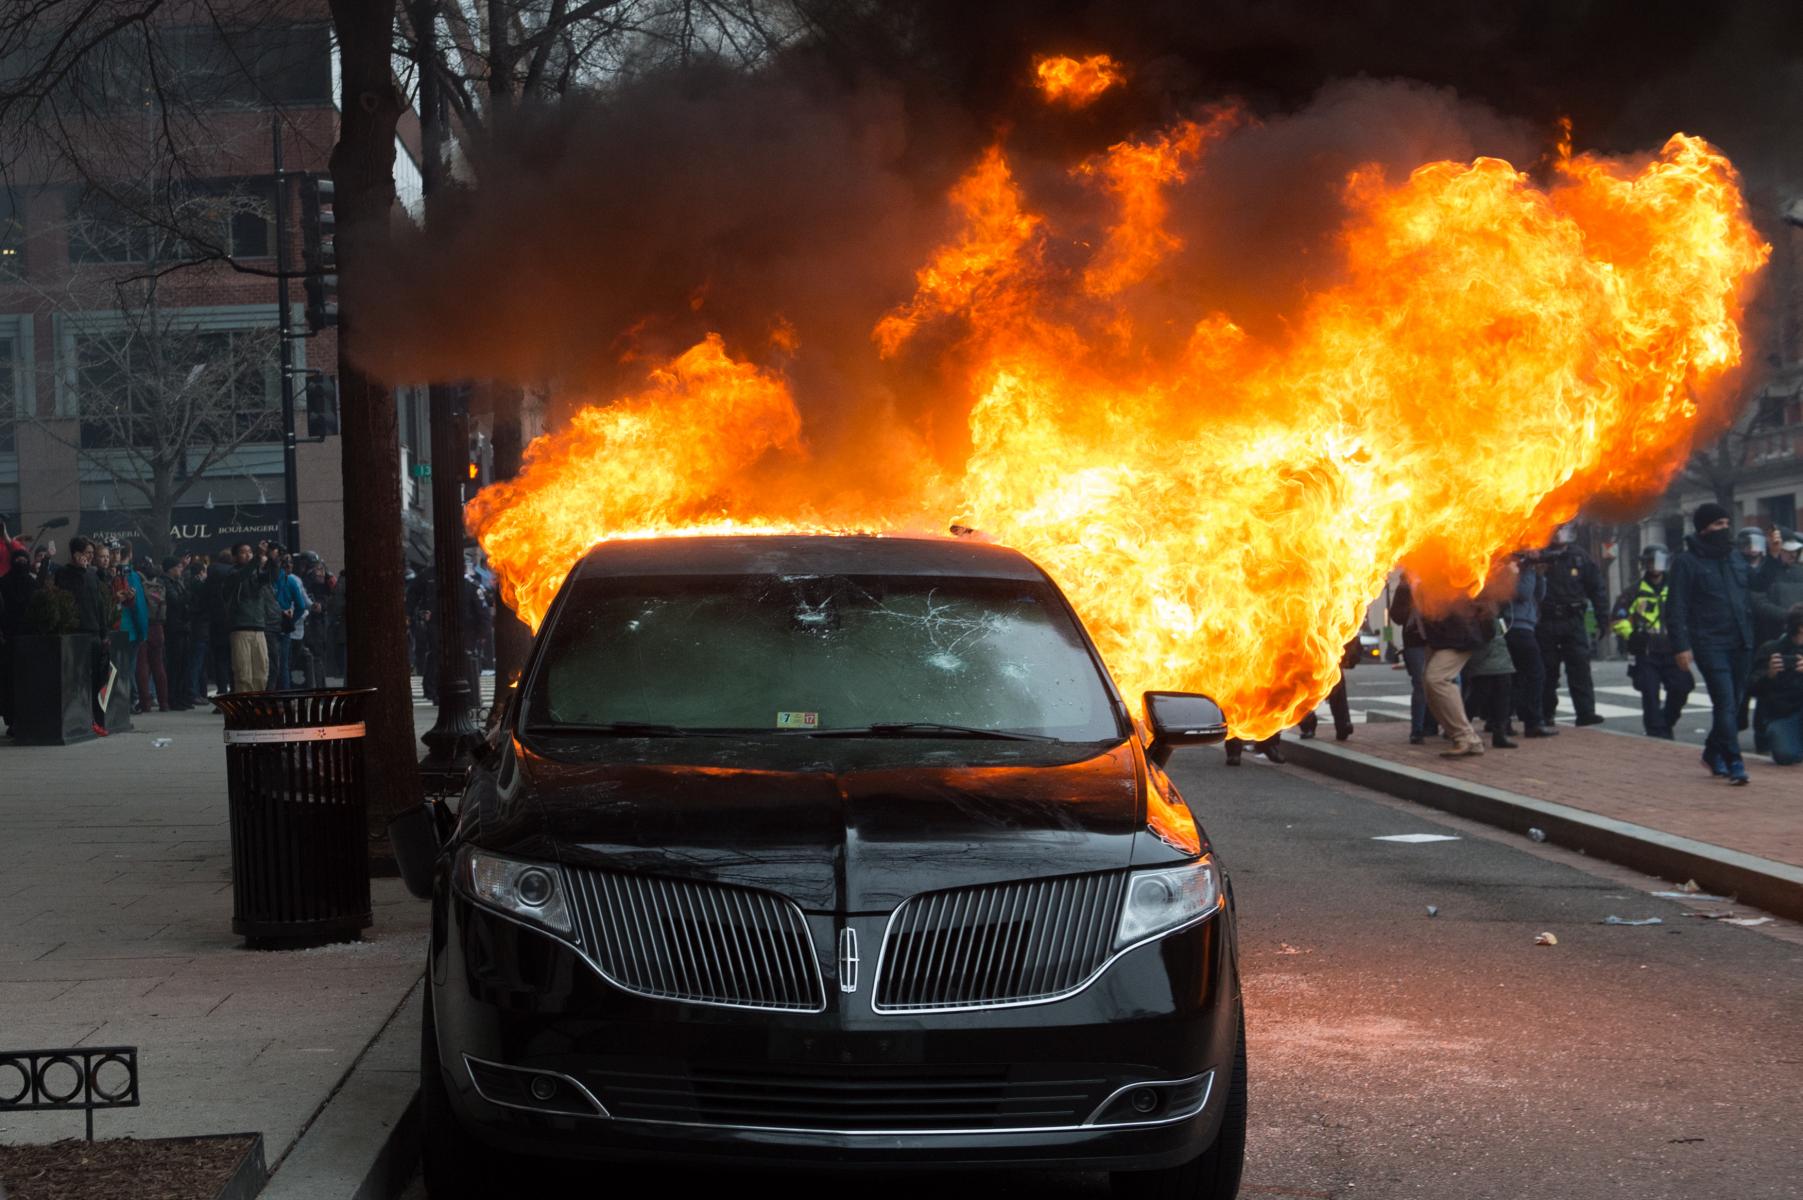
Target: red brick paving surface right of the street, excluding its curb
point(1633, 779)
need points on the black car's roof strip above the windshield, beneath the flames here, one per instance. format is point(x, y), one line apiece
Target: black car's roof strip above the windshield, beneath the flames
point(809, 554)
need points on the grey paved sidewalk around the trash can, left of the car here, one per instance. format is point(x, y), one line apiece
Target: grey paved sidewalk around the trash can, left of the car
point(118, 932)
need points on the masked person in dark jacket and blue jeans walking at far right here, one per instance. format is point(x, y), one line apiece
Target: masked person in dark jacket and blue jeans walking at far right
point(1710, 621)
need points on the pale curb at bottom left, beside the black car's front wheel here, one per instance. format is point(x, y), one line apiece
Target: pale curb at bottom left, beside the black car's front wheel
point(365, 1141)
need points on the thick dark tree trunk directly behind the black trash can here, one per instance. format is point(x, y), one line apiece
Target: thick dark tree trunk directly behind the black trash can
point(363, 174)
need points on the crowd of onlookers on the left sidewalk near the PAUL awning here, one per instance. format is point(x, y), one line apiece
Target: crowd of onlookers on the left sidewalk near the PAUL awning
point(250, 619)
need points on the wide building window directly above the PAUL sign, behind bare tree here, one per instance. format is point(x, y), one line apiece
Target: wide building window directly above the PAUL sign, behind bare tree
point(138, 385)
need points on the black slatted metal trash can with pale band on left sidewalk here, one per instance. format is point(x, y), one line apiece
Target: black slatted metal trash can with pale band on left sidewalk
point(300, 842)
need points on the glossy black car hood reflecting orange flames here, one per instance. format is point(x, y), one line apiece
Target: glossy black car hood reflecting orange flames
point(837, 826)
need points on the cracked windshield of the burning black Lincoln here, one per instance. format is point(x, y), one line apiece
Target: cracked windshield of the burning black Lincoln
point(819, 653)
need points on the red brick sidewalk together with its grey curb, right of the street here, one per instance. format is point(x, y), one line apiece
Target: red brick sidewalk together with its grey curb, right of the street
point(1634, 801)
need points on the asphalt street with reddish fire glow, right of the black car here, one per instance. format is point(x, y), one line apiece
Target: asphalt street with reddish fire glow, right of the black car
point(1451, 1059)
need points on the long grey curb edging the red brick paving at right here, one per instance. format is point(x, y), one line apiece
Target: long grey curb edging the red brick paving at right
point(1759, 882)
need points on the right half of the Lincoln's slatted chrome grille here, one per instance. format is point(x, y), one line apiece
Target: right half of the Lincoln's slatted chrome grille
point(998, 945)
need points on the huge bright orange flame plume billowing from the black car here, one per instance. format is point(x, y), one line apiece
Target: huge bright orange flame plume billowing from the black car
point(1494, 354)
